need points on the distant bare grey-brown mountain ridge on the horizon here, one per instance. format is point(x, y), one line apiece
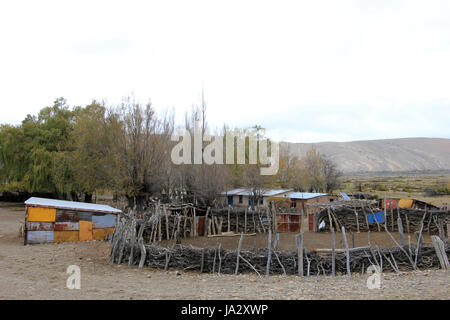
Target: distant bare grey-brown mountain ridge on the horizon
point(388, 155)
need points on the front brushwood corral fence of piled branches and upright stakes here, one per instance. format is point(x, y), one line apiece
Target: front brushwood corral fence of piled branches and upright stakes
point(128, 246)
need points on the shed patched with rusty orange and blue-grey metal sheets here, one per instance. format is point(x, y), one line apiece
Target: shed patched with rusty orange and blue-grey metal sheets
point(48, 220)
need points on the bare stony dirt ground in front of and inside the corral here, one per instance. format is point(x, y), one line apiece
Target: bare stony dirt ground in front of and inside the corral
point(39, 272)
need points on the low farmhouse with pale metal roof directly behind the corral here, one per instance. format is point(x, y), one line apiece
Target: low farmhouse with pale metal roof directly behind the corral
point(244, 197)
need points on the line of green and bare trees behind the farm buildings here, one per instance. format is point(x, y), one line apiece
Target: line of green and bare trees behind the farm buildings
point(75, 152)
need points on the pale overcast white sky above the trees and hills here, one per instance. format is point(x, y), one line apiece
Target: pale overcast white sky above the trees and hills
point(307, 71)
